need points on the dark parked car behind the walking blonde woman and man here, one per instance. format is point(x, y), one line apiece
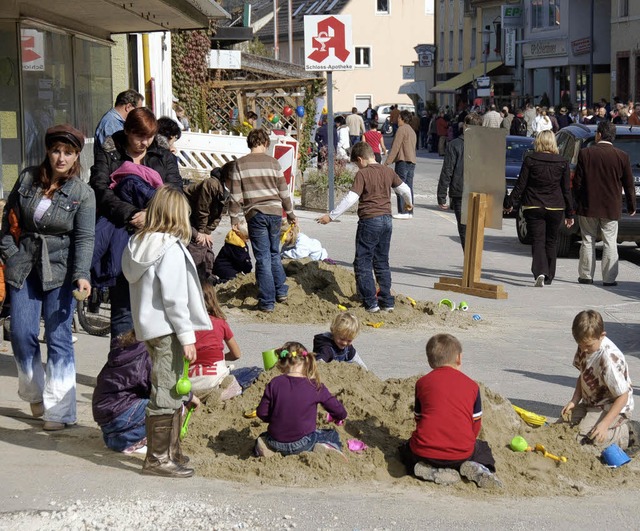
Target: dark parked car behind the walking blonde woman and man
point(570, 141)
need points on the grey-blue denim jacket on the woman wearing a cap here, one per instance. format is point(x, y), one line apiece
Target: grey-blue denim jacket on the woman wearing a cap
point(60, 245)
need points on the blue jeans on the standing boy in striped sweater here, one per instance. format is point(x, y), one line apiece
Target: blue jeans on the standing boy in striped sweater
point(264, 233)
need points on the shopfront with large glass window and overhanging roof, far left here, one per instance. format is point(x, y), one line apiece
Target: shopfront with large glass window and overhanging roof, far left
point(57, 65)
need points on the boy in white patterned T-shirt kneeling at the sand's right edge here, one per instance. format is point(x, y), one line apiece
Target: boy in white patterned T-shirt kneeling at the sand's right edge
point(603, 399)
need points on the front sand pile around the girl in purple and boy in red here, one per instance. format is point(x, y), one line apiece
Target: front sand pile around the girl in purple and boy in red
point(221, 440)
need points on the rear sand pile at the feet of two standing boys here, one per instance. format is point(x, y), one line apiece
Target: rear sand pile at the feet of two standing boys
point(315, 291)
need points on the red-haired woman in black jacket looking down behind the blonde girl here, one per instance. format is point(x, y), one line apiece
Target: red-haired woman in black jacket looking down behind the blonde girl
point(136, 143)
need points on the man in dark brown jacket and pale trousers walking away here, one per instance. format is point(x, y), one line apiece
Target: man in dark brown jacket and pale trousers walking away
point(601, 174)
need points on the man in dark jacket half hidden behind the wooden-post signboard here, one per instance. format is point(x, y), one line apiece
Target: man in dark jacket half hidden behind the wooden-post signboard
point(452, 175)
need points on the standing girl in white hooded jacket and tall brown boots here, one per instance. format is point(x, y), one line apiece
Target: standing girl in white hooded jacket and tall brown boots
point(168, 307)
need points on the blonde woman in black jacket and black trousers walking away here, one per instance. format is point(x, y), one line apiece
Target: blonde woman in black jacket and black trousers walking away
point(543, 189)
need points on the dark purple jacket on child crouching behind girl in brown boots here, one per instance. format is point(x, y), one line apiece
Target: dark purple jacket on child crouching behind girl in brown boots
point(125, 379)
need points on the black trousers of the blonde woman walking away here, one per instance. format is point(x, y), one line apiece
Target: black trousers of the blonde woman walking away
point(544, 226)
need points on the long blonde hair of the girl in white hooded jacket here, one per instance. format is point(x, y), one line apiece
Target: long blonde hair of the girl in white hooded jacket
point(168, 212)
